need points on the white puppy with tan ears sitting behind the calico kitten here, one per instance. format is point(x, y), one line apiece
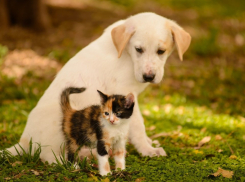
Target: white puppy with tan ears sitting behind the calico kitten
point(128, 56)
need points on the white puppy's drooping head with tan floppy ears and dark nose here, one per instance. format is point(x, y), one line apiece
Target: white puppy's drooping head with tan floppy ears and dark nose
point(149, 39)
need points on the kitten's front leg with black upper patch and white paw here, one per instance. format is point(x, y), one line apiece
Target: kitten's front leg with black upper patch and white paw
point(104, 166)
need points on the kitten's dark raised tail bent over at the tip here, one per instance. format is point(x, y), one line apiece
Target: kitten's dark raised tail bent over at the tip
point(65, 101)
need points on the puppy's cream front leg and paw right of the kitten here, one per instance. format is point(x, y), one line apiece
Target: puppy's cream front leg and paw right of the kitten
point(138, 138)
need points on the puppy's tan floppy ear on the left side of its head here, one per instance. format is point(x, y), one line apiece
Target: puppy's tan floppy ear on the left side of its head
point(120, 36)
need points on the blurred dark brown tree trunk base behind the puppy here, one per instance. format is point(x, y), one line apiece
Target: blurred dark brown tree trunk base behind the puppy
point(26, 13)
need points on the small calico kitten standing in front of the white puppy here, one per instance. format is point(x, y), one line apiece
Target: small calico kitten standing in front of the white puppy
point(105, 126)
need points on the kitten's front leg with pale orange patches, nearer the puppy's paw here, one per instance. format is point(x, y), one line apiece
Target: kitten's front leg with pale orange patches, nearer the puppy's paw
point(119, 154)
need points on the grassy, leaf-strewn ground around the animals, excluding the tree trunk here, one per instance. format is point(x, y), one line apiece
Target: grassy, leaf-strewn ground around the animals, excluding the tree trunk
point(197, 113)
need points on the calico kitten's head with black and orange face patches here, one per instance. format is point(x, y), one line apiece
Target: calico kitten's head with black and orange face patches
point(116, 108)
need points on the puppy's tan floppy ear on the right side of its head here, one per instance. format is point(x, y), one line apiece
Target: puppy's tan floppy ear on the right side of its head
point(182, 39)
